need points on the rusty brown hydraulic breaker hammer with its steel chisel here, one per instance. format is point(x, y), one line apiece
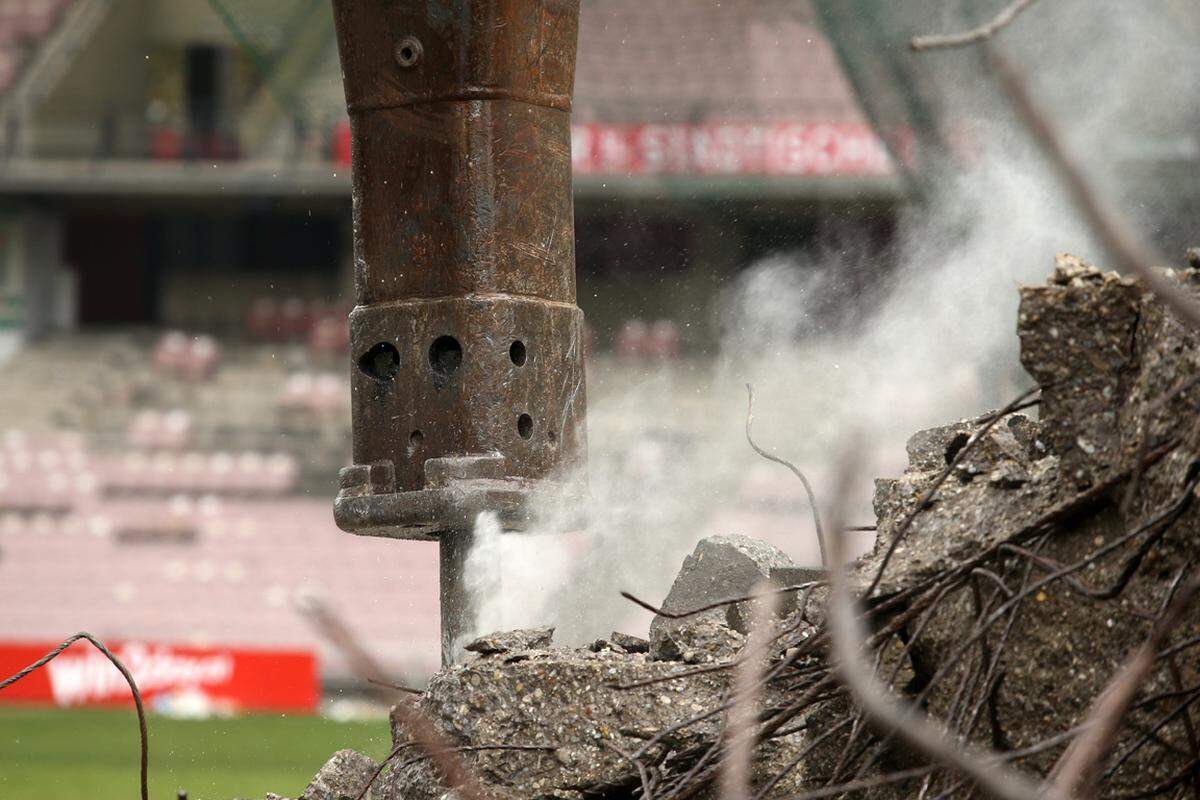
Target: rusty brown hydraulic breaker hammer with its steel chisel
point(467, 346)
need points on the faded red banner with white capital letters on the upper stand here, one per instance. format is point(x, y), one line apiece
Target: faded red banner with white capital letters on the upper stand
point(800, 149)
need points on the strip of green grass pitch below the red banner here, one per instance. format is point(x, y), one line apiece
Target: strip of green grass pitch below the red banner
point(55, 755)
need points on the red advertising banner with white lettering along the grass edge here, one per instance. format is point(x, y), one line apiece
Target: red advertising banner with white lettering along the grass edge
point(171, 678)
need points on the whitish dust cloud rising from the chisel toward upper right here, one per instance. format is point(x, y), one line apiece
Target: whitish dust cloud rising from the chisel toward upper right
point(838, 339)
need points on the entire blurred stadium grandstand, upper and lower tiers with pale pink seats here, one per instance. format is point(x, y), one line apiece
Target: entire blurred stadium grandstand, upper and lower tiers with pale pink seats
point(176, 275)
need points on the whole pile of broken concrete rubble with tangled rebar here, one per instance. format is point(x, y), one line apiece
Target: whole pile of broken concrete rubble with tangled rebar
point(1029, 497)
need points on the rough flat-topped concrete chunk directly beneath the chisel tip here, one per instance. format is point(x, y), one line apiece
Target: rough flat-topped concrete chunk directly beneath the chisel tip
point(586, 708)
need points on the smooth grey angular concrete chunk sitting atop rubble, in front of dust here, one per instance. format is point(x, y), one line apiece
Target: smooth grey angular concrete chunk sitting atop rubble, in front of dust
point(719, 569)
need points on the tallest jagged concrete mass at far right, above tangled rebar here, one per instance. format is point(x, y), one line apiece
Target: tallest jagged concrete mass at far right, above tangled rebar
point(1108, 356)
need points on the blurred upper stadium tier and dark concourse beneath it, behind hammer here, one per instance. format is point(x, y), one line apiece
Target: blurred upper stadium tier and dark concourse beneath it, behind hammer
point(179, 163)
